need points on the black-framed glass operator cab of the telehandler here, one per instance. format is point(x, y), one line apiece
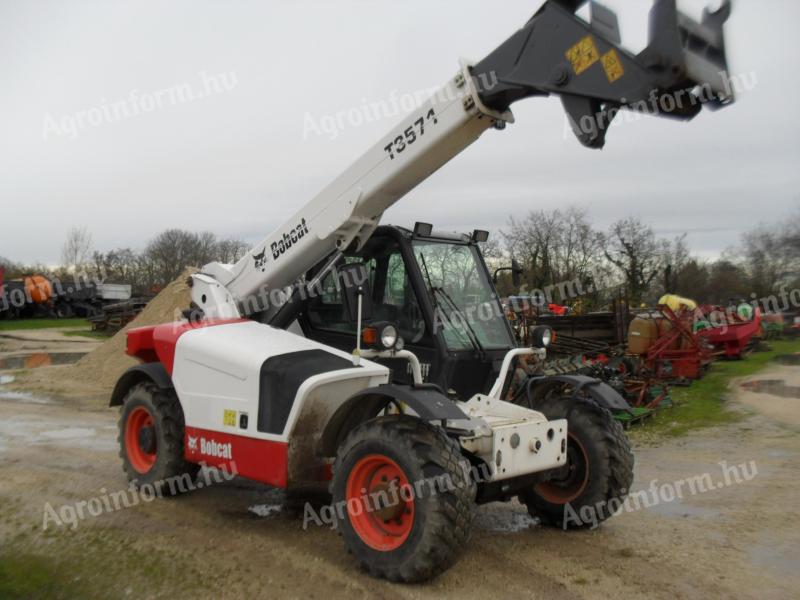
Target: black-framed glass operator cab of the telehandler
point(436, 289)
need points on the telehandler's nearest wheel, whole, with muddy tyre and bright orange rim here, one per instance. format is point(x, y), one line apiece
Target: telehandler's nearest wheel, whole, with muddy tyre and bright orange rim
point(404, 498)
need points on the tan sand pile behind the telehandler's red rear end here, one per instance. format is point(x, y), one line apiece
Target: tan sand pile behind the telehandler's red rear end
point(103, 366)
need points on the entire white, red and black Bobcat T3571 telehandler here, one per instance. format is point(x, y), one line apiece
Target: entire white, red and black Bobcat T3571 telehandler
point(409, 431)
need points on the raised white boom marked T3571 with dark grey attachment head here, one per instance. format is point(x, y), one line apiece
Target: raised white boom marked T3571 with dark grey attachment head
point(556, 52)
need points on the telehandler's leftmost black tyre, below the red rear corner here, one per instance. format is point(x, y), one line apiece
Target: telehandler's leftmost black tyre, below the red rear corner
point(164, 440)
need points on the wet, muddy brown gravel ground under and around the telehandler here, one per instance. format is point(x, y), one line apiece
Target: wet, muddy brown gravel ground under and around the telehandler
point(235, 540)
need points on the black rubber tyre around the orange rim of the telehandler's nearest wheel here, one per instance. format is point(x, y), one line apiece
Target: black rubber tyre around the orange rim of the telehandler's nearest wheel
point(441, 522)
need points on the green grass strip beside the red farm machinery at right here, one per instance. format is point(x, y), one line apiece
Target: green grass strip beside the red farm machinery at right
point(703, 403)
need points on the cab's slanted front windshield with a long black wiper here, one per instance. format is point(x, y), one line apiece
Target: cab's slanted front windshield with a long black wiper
point(466, 307)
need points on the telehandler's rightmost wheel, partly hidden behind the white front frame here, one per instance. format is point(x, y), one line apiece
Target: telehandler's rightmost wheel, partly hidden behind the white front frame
point(599, 470)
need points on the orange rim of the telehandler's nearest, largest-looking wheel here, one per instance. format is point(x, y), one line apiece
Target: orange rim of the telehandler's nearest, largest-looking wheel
point(380, 502)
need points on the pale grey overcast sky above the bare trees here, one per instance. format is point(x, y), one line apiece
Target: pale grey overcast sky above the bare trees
point(252, 150)
